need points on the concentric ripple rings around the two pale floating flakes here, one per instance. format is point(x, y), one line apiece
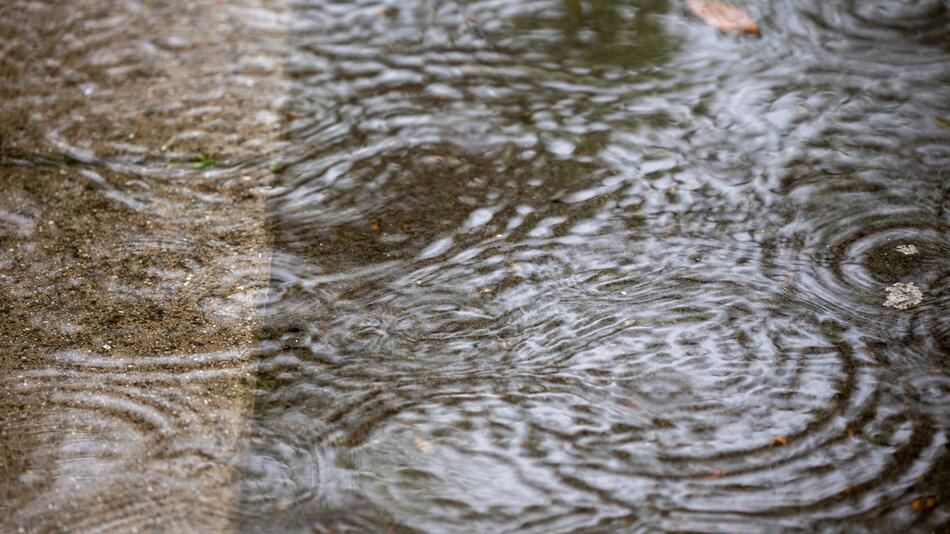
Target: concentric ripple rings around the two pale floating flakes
point(846, 258)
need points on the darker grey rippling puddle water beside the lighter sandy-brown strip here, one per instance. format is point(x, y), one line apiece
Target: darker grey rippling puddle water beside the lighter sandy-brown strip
point(558, 266)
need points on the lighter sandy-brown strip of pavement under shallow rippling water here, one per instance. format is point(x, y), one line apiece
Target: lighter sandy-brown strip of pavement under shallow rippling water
point(129, 277)
